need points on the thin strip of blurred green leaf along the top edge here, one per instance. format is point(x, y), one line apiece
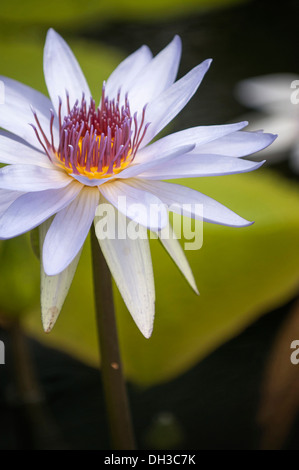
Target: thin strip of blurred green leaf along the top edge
point(74, 13)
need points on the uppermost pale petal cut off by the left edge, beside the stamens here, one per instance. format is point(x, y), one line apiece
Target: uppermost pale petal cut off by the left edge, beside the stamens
point(16, 112)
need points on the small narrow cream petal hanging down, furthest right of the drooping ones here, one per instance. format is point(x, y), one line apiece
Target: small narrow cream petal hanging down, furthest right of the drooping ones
point(173, 247)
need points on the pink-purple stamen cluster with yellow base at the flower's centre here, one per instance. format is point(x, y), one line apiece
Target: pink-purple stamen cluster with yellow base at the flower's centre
point(94, 139)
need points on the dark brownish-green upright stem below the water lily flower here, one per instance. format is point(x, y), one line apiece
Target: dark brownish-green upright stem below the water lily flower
point(117, 404)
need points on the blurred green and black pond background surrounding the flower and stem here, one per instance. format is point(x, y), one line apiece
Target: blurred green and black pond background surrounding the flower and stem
point(216, 373)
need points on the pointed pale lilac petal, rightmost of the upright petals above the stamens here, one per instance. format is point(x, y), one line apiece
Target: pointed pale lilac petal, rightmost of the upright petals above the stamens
point(168, 104)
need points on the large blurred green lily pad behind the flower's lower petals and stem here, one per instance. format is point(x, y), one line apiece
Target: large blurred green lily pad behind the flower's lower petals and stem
point(241, 273)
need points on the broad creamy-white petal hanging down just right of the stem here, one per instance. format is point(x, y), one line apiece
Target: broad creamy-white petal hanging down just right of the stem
point(130, 264)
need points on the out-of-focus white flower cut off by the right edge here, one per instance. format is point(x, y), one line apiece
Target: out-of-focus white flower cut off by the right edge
point(276, 99)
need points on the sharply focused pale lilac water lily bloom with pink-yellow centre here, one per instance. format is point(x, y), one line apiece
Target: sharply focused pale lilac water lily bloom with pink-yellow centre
point(66, 155)
